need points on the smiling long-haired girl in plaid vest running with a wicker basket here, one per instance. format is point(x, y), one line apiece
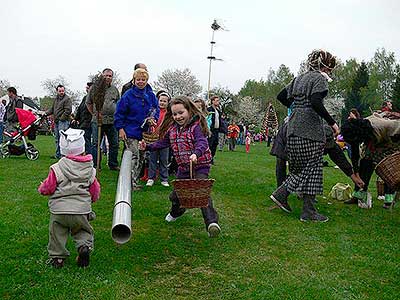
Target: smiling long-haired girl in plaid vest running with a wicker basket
point(185, 130)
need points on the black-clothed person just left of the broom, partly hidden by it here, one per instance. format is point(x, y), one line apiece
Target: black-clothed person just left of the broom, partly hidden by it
point(83, 119)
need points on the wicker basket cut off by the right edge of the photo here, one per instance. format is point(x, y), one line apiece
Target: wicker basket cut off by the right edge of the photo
point(389, 170)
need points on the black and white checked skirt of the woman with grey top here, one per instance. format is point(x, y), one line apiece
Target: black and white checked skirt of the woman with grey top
point(305, 166)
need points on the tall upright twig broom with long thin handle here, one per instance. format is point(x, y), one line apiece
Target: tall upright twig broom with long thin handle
point(99, 91)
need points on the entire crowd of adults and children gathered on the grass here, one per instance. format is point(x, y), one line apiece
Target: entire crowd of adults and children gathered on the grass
point(190, 132)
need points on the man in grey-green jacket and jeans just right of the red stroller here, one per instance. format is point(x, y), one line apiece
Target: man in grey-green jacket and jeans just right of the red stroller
point(61, 111)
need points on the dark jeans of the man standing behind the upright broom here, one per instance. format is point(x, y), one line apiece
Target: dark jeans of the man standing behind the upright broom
point(112, 136)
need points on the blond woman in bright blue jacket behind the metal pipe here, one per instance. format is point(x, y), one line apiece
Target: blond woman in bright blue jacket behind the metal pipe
point(136, 110)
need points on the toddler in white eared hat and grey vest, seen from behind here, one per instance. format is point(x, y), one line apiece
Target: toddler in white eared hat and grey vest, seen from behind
point(71, 186)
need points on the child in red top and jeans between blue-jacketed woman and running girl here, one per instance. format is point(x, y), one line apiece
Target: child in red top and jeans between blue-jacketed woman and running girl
point(159, 158)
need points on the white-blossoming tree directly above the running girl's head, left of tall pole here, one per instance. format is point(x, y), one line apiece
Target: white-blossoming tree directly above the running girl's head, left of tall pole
point(178, 82)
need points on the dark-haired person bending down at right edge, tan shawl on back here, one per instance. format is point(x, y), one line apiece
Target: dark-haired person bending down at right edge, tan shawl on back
point(380, 138)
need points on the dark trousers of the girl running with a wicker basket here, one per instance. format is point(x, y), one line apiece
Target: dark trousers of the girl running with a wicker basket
point(210, 215)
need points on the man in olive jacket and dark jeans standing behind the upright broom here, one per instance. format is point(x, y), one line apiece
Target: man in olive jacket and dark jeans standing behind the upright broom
point(107, 117)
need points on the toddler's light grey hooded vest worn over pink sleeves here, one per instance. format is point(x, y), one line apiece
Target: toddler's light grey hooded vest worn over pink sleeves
point(72, 195)
